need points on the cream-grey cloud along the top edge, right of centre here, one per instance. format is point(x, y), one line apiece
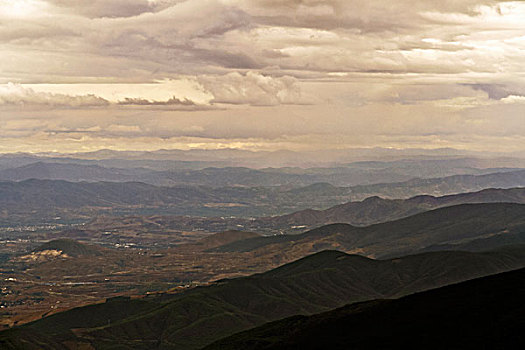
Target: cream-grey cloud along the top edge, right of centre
point(370, 16)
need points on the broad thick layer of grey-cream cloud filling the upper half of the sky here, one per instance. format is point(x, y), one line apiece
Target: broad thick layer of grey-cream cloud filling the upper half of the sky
point(139, 39)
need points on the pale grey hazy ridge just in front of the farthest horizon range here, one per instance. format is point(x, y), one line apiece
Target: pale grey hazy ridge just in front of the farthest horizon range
point(342, 176)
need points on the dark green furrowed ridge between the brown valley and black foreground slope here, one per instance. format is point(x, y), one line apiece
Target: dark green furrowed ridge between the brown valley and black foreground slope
point(200, 316)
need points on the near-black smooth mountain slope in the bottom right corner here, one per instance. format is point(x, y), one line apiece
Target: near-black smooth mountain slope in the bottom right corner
point(486, 313)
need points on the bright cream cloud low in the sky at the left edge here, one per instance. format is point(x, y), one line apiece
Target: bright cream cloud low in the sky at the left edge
point(17, 95)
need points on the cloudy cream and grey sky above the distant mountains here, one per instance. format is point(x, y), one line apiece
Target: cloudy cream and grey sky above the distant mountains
point(79, 75)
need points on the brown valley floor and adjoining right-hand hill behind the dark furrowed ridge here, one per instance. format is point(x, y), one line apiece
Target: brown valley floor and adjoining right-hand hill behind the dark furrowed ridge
point(64, 273)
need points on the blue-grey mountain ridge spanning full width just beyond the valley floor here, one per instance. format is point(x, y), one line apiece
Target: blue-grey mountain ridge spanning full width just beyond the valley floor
point(195, 200)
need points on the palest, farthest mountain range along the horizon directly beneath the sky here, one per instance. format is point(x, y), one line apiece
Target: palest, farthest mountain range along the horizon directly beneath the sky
point(279, 158)
